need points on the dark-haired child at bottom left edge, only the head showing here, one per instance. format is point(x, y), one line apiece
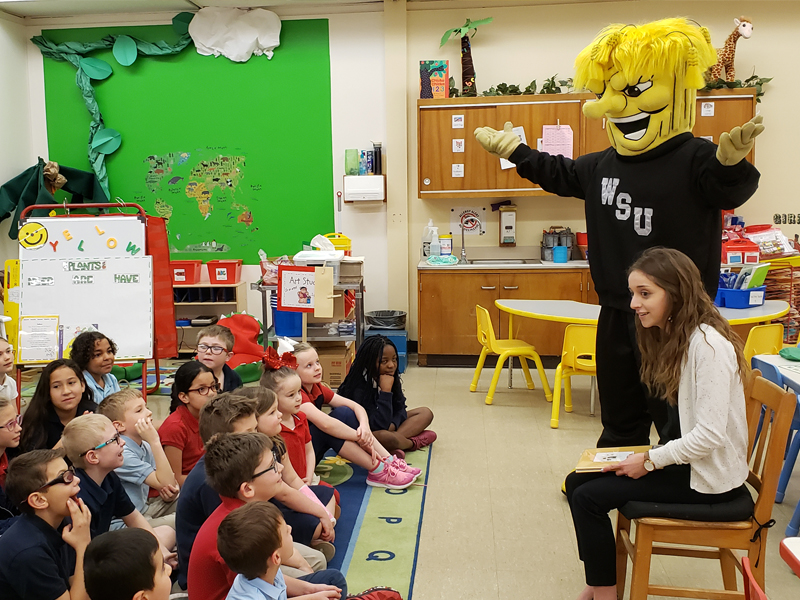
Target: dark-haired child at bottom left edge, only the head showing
point(126, 565)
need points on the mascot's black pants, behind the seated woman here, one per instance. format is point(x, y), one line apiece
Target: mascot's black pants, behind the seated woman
point(627, 410)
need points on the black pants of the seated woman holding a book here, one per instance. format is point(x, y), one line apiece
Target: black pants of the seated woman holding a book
point(592, 495)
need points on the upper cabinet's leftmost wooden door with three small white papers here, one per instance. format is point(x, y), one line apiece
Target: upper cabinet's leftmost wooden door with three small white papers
point(436, 156)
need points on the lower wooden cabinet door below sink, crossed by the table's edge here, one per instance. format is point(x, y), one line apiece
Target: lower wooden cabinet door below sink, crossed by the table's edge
point(546, 336)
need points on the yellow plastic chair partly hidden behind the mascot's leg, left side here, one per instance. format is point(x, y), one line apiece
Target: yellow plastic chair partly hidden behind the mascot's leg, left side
point(577, 358)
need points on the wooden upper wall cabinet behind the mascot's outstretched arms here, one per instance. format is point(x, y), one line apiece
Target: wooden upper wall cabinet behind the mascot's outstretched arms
point(451, 163)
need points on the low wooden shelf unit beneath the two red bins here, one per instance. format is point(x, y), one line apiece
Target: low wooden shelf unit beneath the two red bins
point(204, 299)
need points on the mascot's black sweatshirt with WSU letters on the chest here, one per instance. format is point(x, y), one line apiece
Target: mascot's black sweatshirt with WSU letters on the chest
point(670, 196)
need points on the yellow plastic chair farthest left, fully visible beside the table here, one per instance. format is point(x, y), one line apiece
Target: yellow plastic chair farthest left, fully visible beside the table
point(505, 349)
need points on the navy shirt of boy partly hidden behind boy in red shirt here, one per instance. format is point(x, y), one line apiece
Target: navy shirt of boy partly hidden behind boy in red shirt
point(196, 502)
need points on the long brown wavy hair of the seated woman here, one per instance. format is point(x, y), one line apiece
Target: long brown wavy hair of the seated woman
point(664, 350)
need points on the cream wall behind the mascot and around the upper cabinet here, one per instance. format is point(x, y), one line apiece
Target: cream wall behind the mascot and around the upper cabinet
point(538, 41)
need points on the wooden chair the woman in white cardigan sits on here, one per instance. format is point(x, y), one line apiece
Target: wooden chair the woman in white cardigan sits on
point(717, 538)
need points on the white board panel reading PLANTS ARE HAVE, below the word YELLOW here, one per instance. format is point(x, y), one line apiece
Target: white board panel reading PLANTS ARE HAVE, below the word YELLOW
point(111, 295)
